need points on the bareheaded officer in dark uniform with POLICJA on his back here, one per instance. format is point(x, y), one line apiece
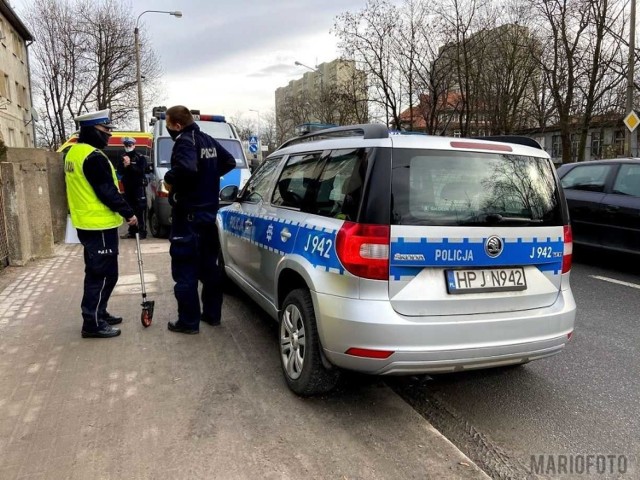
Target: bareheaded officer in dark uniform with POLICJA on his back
point(197, 163)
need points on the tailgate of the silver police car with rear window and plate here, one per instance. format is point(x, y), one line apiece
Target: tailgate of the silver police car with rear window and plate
point(473, 233)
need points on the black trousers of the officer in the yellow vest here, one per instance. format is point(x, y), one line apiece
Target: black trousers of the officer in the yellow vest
point(100, 274)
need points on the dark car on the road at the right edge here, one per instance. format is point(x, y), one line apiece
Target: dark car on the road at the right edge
point(604, 202)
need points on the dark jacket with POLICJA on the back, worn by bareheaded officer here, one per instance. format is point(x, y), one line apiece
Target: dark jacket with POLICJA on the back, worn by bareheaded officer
point(197, 163)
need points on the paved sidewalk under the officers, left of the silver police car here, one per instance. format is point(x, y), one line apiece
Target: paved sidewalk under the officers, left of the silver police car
point(152, 404)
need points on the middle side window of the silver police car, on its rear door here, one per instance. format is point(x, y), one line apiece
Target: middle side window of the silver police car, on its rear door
point(296, 179)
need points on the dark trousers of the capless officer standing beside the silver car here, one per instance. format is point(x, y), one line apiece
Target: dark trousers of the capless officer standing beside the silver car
point(194, 258)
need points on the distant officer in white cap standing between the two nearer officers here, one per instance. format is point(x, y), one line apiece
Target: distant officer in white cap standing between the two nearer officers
point(132, 169)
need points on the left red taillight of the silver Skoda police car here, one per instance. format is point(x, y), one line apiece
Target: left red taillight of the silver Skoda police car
point(364, 250)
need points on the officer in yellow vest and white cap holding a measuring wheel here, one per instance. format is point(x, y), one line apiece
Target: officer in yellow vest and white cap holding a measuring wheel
point(97, 209)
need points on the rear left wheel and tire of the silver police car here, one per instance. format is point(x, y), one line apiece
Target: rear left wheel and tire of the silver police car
point(300, 348)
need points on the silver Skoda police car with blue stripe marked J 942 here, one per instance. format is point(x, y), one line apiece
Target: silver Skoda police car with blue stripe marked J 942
point(393, 254)
